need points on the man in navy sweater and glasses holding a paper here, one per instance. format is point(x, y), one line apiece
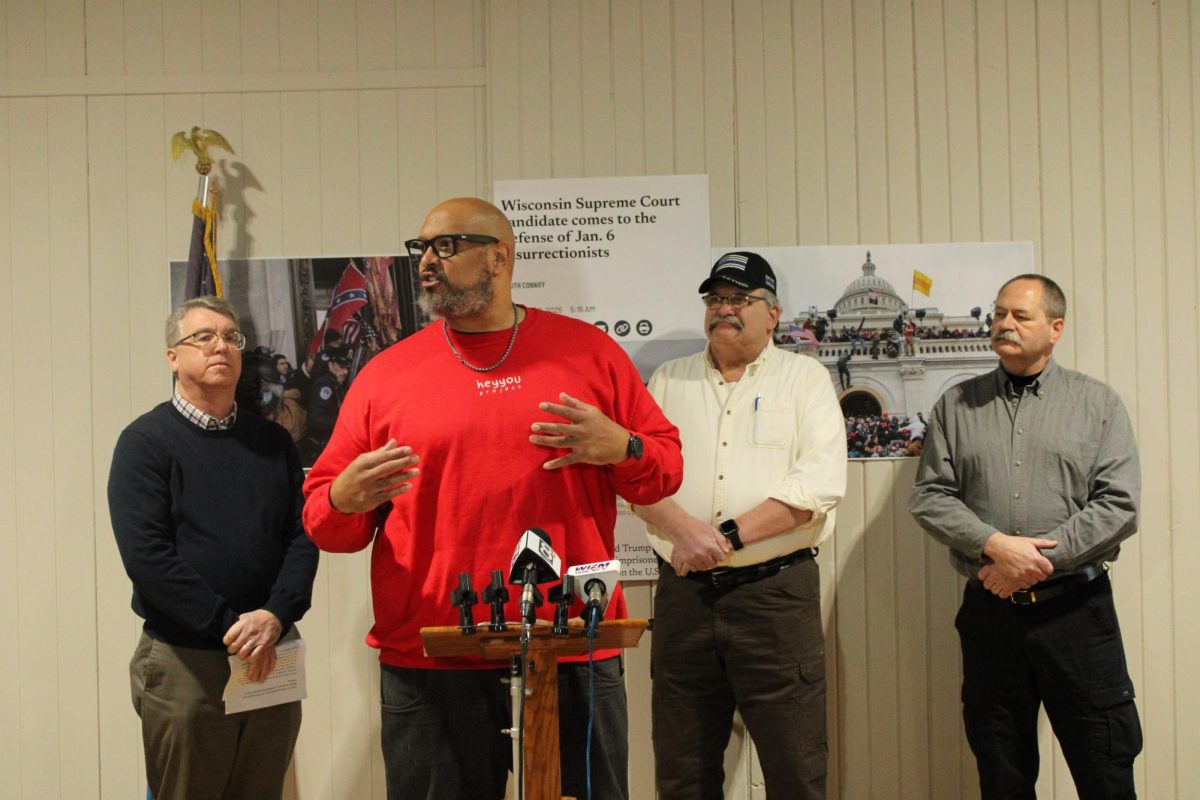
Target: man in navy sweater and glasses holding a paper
point(206, 507)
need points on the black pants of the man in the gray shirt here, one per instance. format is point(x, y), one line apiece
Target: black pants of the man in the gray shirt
point(1065, 654)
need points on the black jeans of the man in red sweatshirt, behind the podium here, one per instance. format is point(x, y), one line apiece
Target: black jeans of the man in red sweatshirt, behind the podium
point(442, 732)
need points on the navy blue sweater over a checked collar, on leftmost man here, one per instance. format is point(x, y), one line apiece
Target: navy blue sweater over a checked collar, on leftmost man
point(208, 525)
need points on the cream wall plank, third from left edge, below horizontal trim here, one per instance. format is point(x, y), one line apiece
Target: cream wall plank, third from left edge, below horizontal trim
point(74, 522)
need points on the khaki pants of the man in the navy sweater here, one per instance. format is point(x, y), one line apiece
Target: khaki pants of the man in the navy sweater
point(194, 750)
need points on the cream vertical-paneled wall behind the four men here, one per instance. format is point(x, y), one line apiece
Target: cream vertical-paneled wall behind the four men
point(1072, 125)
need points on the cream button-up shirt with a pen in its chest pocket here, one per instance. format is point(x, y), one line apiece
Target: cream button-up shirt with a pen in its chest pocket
point(778, 432)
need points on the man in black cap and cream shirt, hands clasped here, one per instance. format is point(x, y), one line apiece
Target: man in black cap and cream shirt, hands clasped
point(739, 601)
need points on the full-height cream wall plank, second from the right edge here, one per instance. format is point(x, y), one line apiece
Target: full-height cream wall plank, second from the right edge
point(1153, 365)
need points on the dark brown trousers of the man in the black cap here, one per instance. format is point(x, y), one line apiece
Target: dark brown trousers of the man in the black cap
point(759, 648)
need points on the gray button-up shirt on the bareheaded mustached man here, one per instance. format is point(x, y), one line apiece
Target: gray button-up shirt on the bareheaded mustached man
point(1058, 461)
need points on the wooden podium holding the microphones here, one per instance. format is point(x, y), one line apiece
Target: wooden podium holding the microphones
point(543, 778)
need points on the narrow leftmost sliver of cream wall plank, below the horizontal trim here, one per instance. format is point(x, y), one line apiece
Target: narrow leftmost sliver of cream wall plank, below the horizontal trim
point(10, 612)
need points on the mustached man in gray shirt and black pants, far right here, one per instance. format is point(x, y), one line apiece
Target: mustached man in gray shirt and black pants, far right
point(1030, 476)
